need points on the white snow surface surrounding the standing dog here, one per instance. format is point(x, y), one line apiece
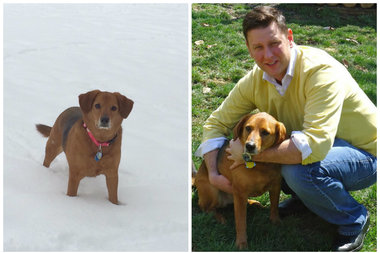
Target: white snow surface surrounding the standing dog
point(53, 53)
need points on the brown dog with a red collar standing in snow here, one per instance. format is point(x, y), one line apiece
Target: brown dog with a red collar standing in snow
point(90, 136)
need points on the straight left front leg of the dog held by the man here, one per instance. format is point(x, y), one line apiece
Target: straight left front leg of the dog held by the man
point(240, 209)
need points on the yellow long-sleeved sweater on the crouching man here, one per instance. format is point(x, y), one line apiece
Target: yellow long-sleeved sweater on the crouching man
point(322, 100)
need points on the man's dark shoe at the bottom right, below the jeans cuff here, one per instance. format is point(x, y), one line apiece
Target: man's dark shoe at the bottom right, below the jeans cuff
point(351, 243)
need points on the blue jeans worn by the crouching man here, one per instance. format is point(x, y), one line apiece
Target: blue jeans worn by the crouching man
point(323, 186)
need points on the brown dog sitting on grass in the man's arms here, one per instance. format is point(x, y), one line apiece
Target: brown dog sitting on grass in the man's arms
point(257, 133)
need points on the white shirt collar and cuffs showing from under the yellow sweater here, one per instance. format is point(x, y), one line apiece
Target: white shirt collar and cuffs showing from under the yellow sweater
point(298, 137)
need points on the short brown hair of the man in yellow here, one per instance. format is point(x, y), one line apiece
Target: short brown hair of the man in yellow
point(261, 17)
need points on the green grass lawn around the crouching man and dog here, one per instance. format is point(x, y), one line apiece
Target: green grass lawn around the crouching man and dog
point(223, 59)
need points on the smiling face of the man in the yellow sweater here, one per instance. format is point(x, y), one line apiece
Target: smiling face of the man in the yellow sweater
point(270, 48)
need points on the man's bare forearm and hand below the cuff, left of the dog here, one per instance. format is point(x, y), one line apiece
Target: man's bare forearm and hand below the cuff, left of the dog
point(215, 178)
